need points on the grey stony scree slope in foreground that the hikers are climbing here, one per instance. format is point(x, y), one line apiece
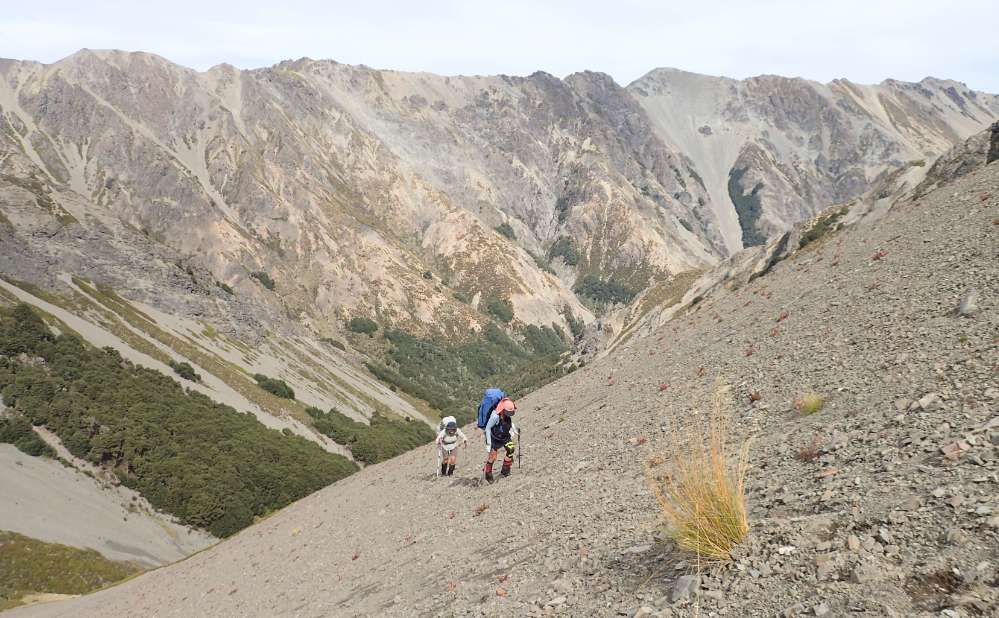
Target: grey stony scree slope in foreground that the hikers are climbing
point(881, 503)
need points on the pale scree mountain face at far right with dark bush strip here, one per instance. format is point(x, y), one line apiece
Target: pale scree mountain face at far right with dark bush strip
point(779, 149)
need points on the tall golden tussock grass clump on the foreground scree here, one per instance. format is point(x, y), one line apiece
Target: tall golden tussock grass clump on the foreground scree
point(701, 491)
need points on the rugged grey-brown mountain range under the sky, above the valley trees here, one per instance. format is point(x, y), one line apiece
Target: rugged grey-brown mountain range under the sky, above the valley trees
point(417, 199)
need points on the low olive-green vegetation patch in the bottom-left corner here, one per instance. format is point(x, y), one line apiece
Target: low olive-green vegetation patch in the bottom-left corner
point(29, 566)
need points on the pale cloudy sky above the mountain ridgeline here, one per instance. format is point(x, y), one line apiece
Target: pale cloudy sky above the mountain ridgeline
point(862, 40)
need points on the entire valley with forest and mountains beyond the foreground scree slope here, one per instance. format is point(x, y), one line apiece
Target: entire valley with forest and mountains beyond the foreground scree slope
point(222, 291)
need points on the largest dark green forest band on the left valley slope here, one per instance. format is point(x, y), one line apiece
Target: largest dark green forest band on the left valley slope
point(207, 464)
